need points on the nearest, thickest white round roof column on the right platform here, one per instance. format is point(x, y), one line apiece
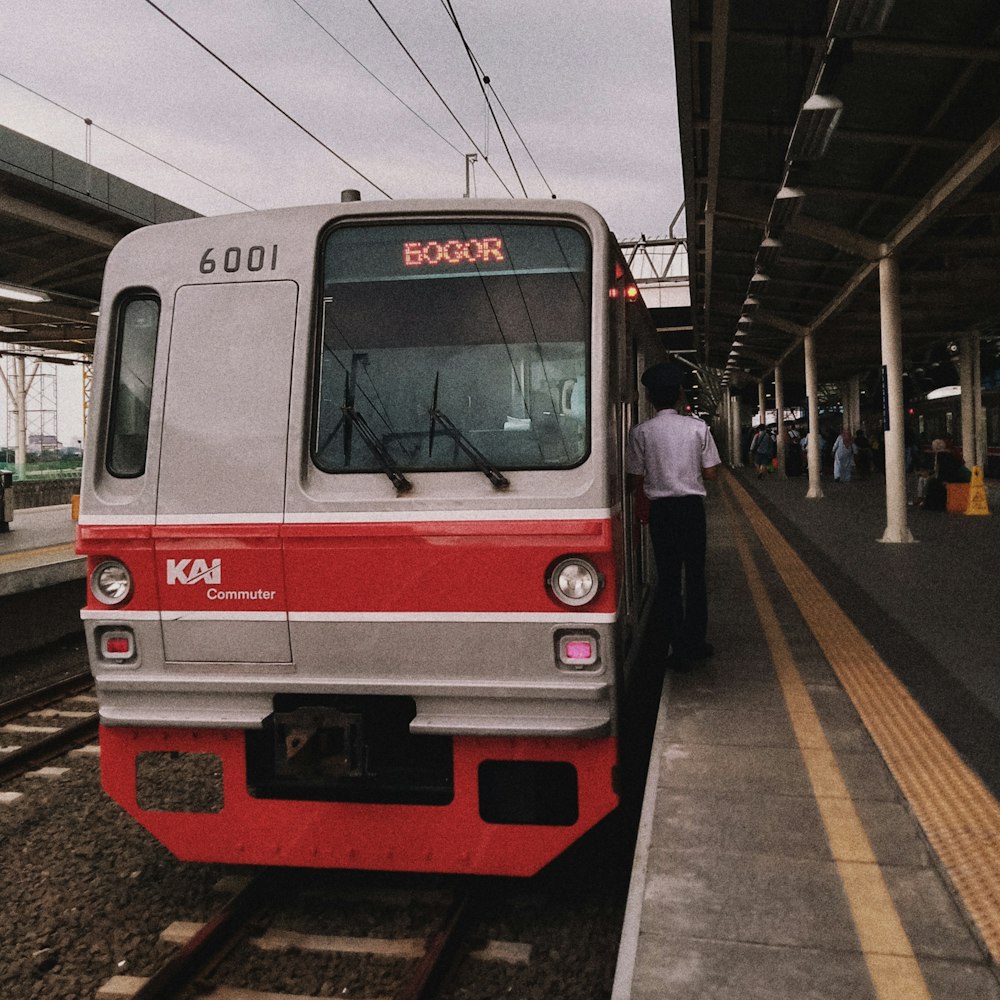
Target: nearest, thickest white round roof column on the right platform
point(896, 529)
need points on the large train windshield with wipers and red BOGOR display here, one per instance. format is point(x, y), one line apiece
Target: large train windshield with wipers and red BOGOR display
point(453, 345)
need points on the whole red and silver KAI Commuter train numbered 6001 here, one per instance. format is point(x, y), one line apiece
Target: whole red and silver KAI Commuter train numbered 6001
point(362, 576)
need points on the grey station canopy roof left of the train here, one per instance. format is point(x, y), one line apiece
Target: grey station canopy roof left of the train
point(59, 219)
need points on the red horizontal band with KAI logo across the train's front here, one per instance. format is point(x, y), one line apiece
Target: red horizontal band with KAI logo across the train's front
point(397, 567)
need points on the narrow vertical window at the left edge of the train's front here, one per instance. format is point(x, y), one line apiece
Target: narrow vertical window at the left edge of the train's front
point(138, 319)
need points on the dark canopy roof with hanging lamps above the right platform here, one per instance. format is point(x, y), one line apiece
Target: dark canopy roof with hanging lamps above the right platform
point(817, 137)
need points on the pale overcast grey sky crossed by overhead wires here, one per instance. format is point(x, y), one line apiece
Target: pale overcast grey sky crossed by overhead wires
point(588, 84)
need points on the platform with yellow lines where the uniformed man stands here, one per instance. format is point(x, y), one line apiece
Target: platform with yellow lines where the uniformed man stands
point(809, 829)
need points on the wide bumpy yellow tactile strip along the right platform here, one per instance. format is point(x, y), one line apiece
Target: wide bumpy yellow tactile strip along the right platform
point(957, 812)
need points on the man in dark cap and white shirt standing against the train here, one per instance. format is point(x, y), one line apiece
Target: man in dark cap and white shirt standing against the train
point(670, 456)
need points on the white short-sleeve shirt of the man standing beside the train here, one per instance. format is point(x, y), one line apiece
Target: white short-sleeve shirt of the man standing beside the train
point(669, 451)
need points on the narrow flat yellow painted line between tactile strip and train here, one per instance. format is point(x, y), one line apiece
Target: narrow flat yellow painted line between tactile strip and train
point(888, 954)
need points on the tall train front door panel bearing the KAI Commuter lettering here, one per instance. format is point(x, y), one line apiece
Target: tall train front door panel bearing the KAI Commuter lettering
point(220, 498)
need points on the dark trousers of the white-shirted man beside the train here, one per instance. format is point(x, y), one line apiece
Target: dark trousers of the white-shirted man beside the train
point(677, 530)
